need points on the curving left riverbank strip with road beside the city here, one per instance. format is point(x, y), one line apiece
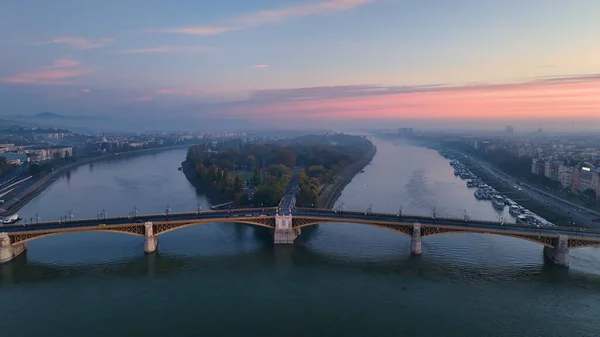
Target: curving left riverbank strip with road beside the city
point(21, 199)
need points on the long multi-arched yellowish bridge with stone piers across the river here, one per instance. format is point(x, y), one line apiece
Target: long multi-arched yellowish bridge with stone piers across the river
point(286, 226)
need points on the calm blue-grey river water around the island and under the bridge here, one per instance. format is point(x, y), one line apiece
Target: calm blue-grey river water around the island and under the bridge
point(338, 280)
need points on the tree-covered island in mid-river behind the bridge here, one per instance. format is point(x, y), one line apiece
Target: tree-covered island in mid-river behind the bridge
point(257, 172)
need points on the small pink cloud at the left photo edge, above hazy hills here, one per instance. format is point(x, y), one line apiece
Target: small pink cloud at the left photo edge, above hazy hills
point(59, 73)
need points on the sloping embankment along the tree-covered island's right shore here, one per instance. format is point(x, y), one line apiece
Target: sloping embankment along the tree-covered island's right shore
point(331, 192)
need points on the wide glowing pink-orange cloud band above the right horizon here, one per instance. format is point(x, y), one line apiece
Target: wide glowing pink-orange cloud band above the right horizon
point(554, 98)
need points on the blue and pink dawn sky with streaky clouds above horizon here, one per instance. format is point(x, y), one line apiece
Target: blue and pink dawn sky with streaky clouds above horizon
point(299, 63)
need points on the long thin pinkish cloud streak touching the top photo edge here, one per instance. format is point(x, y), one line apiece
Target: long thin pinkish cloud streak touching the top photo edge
point(250, 20)
